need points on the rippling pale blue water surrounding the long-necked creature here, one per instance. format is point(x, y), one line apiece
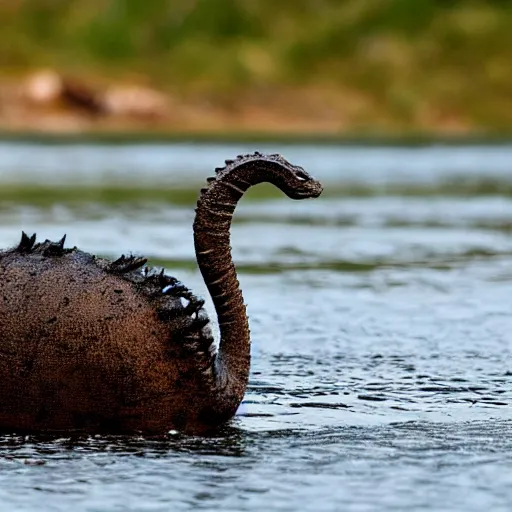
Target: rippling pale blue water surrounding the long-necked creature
point(380, 314)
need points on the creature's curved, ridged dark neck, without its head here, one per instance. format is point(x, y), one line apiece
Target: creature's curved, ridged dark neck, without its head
point(212, 224)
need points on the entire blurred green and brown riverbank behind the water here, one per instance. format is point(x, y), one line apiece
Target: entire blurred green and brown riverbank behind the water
point(329, 68)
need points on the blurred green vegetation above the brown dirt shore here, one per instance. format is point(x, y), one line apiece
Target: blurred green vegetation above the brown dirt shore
point(382, 64)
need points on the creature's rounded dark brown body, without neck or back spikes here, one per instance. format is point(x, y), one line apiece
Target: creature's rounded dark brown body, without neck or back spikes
point(84, 349)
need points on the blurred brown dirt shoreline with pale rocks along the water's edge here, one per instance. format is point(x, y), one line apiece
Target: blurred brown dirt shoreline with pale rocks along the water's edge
point(46, 103)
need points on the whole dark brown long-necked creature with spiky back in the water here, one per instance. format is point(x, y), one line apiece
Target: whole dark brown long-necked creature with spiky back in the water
point(92, 345)
